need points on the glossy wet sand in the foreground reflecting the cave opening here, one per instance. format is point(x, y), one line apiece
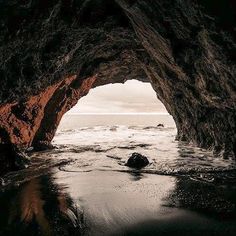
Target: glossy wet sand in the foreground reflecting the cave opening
point(116, 203)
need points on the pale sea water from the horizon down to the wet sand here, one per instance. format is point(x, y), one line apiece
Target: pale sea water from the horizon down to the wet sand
point(104, 142)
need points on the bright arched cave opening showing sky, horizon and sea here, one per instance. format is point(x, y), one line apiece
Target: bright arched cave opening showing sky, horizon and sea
point(116, 111)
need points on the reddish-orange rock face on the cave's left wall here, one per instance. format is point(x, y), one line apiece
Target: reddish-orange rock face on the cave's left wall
point(35, 120)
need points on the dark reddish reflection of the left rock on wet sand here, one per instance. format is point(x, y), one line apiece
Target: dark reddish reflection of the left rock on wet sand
point(39, 207)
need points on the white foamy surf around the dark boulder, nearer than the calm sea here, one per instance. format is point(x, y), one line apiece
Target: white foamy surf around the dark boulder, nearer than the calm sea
point(108, 148)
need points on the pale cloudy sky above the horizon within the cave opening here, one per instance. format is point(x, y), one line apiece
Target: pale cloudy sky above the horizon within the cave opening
point(132, 97)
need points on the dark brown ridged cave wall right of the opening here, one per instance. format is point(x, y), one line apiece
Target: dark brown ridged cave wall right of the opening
point(191, 67)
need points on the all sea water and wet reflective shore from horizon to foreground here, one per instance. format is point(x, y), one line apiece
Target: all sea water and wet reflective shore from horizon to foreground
point(83, 187)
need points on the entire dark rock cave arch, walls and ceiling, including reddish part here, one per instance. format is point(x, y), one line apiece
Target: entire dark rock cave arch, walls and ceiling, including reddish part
point(53, 52)
